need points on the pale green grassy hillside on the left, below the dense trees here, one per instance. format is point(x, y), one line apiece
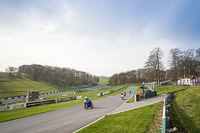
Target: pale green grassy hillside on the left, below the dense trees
point(20, 86)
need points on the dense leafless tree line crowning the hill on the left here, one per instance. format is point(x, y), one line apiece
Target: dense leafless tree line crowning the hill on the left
point(55, 75)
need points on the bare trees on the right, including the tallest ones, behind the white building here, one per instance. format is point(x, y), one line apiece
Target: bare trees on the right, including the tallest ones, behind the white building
point(182, 64)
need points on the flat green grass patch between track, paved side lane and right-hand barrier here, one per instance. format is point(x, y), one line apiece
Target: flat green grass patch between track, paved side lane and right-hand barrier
point(133, 121)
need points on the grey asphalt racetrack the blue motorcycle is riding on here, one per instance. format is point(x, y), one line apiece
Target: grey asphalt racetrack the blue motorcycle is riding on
point(65, 120)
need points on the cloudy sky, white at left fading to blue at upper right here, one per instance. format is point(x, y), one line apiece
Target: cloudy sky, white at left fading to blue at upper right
point(102, 37)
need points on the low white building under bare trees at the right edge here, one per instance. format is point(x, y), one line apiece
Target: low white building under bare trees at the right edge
point(188, 82)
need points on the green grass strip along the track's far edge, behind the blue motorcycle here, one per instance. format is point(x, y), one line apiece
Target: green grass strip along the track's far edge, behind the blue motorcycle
point(20, 113)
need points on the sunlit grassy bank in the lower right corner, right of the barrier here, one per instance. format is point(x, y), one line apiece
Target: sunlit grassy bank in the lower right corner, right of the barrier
point(184, 110)
